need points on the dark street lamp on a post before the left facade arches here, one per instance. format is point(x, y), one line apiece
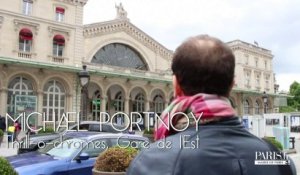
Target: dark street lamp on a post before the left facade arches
point(84, 78)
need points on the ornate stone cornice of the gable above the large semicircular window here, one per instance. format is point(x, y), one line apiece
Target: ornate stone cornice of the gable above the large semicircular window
point(92, 30)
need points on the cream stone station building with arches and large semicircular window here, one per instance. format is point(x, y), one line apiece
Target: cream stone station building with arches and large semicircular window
point(44, 44)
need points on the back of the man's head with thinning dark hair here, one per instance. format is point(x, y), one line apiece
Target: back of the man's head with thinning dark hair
point(204, 64)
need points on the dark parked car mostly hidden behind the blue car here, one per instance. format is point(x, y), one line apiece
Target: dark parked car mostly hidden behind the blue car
point(34, 142)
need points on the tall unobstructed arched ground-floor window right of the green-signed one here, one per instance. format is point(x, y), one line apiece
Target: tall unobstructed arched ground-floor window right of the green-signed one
point(54, 100)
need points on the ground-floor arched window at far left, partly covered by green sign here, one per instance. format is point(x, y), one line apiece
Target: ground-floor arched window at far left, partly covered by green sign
point(18, 86)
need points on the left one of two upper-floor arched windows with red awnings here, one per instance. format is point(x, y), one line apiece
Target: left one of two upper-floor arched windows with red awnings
point(25, 40)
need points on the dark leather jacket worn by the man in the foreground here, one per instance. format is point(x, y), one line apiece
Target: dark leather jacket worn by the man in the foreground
point(223, 148)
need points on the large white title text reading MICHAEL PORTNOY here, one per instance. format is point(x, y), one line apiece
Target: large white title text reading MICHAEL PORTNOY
point(134, 119)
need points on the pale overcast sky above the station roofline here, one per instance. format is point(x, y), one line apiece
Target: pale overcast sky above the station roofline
point(274, 24)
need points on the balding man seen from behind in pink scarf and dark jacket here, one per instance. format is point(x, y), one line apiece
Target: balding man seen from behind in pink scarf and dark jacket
point(207, 137)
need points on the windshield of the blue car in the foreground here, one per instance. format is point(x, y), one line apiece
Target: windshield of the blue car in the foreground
point(63, 148)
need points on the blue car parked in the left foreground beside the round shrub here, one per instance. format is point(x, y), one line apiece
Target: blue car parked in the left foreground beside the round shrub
point(75, 154)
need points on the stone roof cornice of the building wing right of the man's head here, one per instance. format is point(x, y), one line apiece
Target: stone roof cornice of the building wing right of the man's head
point(249, 48)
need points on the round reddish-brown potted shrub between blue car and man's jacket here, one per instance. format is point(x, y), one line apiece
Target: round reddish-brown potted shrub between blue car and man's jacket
point(115, 159)
